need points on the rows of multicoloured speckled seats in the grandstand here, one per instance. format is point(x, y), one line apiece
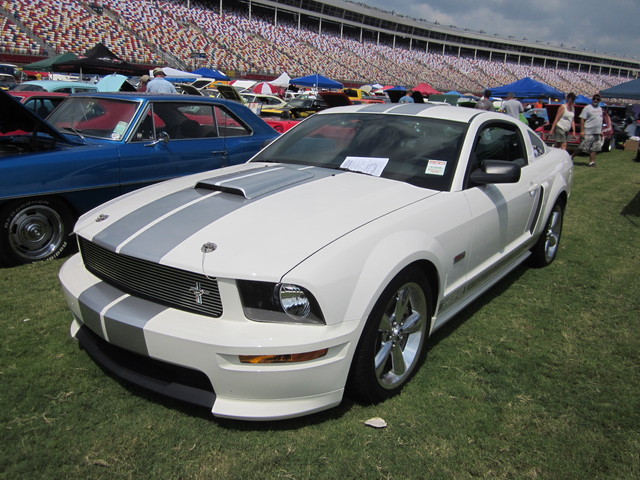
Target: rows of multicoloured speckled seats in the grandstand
point(156, 33)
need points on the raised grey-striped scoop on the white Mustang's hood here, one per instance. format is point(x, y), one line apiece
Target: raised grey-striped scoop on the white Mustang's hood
point(256, 182)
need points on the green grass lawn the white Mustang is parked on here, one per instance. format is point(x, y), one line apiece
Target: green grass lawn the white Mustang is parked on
point(539, 379)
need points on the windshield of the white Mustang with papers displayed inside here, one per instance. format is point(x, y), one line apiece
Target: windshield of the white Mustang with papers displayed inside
point(416, 150)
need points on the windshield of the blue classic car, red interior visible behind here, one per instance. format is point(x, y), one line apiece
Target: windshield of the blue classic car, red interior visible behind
point(104, 118)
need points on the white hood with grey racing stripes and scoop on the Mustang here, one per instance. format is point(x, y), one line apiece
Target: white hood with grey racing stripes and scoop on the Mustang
point(255, 221)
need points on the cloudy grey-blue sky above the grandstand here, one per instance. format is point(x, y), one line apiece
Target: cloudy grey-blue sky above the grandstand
point(611, 26)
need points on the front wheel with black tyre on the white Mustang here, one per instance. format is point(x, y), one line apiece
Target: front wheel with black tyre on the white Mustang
point(392, 343)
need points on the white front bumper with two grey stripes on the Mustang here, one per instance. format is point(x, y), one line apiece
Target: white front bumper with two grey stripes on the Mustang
point(195, 358)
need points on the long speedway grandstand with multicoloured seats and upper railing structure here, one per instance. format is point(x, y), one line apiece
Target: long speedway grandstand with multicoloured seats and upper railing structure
point(260, 39)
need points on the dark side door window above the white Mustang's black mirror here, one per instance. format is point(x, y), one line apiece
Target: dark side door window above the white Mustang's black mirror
point(500, 142)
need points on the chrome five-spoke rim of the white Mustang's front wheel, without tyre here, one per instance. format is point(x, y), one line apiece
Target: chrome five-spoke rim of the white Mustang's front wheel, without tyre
point(401, 333)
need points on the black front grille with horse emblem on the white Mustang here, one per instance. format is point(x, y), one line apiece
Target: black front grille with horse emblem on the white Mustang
point(161, 284)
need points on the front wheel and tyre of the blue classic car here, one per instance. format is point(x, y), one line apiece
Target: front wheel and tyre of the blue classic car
point(33, 230)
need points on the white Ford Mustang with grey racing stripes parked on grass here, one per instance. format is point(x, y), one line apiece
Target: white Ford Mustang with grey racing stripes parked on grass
point(269, 289)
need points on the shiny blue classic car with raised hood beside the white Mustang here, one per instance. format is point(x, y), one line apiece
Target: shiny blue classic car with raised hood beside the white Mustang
point(96, 146)
